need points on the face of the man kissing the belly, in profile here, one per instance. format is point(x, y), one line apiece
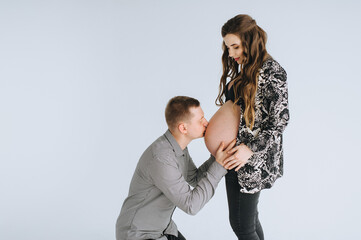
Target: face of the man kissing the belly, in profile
point(197, 124)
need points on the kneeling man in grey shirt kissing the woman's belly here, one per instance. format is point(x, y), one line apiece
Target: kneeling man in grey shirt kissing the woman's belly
point(164, 174)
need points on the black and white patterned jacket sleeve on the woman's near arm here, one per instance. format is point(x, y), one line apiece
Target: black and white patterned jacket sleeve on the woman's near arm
point(276, 104)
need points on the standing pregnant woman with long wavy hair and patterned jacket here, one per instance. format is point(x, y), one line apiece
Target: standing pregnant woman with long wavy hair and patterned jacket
point(255, 111)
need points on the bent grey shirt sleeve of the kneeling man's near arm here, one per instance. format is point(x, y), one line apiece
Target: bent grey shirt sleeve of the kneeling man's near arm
point(169, 179)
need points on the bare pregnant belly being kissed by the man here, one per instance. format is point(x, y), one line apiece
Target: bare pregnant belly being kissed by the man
point(223, 126)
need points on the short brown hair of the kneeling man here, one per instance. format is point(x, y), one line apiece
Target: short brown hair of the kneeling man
point(177, 110)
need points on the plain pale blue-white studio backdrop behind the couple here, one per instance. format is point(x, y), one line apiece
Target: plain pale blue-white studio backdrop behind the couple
point(84, 84)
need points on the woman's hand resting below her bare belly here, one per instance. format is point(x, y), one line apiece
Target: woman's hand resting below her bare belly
point(240, 156)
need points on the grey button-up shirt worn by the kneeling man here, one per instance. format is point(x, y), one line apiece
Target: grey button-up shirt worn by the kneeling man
point(162, 181)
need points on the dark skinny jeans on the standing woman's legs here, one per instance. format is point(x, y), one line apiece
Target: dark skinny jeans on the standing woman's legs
point(243, 212)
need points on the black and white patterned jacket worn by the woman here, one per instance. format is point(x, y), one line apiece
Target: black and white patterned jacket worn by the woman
point(265, 139)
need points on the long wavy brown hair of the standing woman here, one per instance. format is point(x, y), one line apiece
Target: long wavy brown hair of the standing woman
point(253, 40)
